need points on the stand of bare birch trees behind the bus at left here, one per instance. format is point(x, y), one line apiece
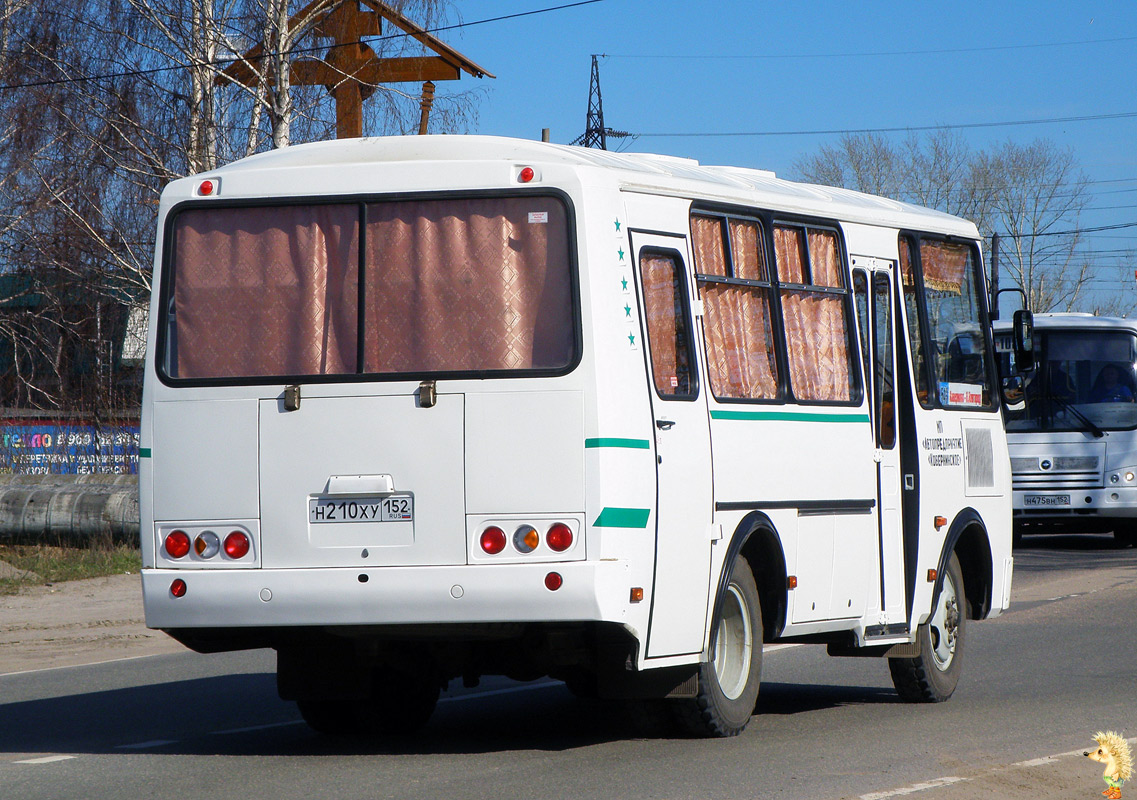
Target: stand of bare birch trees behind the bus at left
point(105, 104)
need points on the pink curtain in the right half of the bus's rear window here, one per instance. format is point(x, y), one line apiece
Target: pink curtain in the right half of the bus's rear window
point(478, 285)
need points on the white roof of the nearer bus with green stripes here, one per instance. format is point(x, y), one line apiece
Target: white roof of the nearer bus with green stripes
point(634, 172)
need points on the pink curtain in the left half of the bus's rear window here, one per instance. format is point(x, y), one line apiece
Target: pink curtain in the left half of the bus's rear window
point(265, 291)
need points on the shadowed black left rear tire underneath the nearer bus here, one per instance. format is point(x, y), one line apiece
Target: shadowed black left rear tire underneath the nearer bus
point(400, 704)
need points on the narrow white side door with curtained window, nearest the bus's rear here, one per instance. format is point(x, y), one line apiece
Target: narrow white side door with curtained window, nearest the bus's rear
point(683, 445)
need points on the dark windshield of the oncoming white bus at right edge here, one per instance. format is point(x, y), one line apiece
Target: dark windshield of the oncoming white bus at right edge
point(1085, 380)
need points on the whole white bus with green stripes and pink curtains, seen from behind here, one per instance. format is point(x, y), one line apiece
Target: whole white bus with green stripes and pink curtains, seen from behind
point(438, 407)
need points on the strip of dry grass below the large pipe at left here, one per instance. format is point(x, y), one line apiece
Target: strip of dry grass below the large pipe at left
point(39, 564)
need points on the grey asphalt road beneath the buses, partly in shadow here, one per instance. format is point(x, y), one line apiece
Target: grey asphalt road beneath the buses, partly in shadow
point(1038, 684)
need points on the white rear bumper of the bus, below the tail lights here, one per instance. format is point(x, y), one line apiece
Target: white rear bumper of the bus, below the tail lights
point(389, 596)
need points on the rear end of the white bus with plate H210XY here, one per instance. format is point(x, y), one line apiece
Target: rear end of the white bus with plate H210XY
point(363, 439)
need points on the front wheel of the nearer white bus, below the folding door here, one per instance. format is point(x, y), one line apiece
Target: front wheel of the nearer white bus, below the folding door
point(932, 677)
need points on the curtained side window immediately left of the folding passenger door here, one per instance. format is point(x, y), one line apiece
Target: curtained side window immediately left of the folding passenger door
point(817, 331)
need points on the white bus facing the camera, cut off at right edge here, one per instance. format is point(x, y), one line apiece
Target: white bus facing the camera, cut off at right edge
point(1073, 436)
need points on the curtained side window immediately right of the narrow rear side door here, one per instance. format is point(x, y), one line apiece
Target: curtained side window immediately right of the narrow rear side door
point(736, 321)
